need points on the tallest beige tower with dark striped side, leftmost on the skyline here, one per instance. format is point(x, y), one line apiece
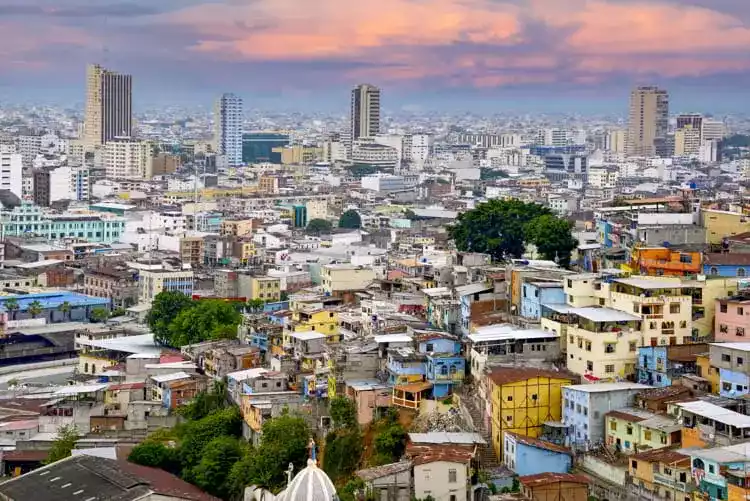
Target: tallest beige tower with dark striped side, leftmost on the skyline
point(109, 106)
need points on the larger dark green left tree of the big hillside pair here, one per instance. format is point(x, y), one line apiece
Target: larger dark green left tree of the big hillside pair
point(496, 227)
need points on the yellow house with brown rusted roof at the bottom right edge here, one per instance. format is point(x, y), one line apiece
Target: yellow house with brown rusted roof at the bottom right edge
point(662, 473)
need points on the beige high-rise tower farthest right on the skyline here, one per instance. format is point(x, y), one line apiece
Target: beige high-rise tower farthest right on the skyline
point(648, 123)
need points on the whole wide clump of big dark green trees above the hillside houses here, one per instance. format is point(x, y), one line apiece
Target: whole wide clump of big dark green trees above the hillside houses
point(502, 228)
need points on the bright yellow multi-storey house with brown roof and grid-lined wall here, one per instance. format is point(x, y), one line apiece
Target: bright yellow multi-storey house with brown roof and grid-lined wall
point(522, 400)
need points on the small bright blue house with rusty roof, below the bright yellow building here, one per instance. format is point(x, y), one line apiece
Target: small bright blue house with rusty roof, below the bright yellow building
point(529, 456)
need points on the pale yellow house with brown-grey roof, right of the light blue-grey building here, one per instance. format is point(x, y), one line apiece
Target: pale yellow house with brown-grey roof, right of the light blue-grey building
point(634, 430)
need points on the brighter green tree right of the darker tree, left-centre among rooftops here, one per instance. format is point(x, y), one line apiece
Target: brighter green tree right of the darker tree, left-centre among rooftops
point(209, 319)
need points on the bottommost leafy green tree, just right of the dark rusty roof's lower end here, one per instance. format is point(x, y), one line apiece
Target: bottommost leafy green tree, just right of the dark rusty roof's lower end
point(215, 466)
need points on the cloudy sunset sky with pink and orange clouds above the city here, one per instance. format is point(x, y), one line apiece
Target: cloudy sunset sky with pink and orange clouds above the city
point(535, 55)
